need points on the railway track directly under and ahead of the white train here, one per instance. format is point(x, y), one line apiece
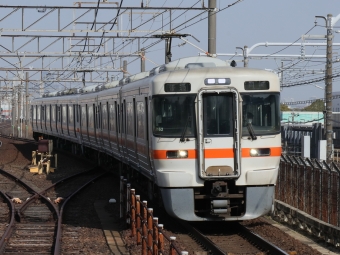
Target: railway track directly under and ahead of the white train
point(216, 238)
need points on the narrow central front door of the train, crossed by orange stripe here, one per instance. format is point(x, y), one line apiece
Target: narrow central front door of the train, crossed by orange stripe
point(219, 151)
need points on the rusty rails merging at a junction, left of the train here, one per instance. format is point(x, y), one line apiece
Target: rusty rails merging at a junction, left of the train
point(32, 219)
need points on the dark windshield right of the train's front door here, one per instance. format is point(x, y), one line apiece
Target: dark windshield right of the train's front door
point(261, 111)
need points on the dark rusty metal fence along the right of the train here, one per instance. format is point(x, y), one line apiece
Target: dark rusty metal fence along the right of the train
point(310, 186)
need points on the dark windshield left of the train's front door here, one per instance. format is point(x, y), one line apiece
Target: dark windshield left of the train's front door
point(174, 115)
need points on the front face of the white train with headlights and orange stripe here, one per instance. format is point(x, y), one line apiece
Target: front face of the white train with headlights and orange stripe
point(216, 140)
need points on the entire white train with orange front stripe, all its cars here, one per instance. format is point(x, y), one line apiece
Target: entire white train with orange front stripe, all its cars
point(205, 134)
